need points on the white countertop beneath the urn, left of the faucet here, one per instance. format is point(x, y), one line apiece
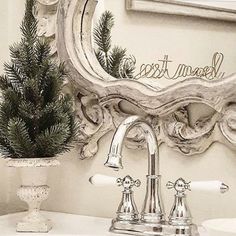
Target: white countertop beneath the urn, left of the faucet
point(65, 224)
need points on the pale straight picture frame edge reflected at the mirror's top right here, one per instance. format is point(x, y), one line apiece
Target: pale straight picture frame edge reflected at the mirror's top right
point(175, 7)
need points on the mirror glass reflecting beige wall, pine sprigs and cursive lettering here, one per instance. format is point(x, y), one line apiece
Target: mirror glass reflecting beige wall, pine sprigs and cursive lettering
point(159, 49)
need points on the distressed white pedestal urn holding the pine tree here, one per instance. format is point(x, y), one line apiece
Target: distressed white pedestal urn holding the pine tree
point(33, 190)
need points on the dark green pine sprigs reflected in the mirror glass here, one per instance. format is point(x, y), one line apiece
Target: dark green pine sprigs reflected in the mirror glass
point(111, 59)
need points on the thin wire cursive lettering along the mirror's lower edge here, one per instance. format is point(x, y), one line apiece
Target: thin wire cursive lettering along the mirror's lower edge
point(161, 69)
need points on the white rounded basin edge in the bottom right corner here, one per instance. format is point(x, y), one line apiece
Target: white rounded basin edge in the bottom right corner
point(220, 227)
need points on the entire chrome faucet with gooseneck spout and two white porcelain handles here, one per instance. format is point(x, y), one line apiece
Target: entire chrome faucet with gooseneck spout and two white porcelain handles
point(152, 217)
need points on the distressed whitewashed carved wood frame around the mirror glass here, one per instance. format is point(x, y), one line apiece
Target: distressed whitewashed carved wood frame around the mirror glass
point(100, 98)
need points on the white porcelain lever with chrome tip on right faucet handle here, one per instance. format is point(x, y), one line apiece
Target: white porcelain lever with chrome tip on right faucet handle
point(208, 186)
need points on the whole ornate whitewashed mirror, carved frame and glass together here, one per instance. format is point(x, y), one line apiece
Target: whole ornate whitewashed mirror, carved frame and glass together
point(102, 101)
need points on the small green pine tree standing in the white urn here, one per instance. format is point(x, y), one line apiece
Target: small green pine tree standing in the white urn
point(36, 120)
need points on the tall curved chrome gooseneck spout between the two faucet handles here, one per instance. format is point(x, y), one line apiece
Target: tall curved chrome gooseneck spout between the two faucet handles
point(152, 207)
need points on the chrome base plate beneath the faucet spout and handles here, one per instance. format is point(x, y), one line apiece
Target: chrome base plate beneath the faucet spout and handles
point(147, 229)
